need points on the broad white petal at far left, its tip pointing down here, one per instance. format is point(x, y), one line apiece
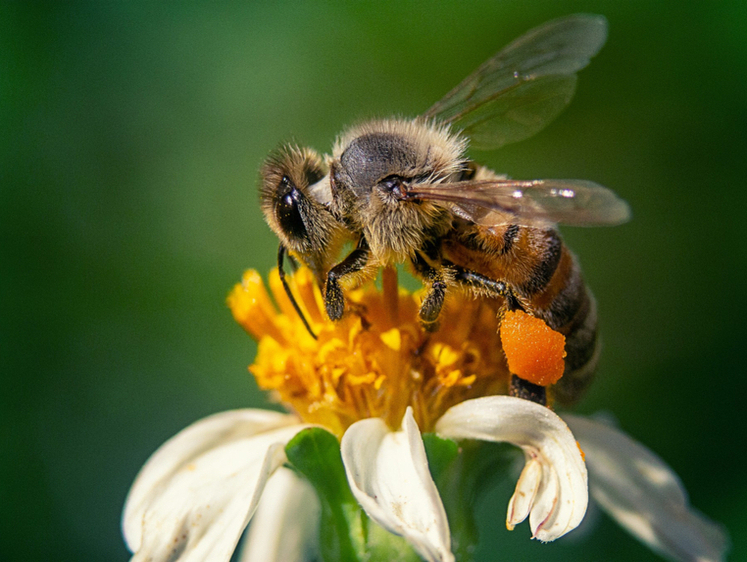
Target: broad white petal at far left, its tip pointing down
point(195, 495)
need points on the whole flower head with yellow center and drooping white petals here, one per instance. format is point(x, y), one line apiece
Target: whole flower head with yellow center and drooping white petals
point(376, 381)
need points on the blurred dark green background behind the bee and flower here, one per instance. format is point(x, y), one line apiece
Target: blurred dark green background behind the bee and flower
point(132, 136)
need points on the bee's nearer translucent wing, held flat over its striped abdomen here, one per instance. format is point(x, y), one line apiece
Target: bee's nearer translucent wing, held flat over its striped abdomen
point(528, 202)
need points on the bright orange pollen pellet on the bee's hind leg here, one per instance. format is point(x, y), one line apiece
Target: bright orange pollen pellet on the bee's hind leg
point(534, 351)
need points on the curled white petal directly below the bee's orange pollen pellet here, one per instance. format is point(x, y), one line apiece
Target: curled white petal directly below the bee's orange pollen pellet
point(561, 498)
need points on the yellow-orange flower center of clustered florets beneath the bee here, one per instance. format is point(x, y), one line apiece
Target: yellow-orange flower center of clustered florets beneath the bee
point(374, 362)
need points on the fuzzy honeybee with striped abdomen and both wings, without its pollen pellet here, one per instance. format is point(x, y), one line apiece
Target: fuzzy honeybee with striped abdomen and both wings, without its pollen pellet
point(403, 191)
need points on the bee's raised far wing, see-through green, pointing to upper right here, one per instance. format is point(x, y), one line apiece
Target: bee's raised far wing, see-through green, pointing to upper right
point(525, 86)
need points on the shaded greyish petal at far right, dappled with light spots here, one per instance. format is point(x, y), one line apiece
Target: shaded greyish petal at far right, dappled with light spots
point(644, 495)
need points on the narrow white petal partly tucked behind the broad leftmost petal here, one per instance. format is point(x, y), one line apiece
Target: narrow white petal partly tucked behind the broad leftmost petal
point(286, 525)
